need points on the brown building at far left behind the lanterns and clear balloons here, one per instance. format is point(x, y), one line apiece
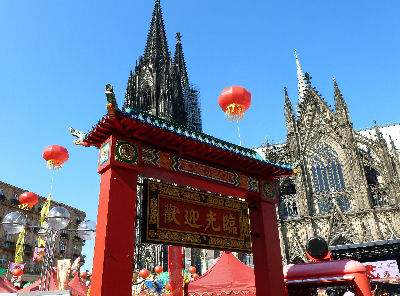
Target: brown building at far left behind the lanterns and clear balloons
point(68, 244)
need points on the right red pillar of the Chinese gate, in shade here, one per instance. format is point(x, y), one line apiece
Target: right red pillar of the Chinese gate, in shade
point(266, 247)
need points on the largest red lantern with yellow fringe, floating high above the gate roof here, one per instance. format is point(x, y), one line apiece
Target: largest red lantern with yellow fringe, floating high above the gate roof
point(234, 100)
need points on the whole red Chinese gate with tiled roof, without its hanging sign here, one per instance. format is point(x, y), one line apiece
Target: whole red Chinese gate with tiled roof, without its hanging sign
point(141, 144)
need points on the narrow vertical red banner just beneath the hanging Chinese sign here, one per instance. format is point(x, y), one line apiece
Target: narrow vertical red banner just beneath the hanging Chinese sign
point(175, 268)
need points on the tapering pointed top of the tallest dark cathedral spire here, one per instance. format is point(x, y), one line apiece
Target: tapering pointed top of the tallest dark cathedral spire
point(156, 47)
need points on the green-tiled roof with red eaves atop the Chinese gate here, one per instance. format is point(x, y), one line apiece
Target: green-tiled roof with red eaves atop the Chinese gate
point(183, 142)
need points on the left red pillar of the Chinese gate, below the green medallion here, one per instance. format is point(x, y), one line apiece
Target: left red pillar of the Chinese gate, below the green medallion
point(115, 233)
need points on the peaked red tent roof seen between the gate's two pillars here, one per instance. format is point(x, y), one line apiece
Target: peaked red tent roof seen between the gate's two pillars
point(227, 276)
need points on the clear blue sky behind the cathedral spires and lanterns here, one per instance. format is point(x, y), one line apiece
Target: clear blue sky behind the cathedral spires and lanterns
point(57, 56)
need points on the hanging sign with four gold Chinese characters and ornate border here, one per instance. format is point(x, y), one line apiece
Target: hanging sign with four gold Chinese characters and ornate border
point(180, 216)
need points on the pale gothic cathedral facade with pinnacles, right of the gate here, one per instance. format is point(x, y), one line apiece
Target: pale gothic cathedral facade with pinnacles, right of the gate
point(347, 189)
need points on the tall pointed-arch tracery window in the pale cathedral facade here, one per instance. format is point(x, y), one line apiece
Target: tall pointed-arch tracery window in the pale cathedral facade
point(328, 179)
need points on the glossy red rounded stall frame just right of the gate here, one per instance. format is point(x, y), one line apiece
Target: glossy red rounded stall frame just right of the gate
point(301, 276)
